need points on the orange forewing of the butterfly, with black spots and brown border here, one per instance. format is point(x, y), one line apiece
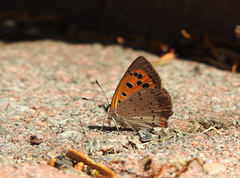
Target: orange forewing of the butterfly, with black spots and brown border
point(140, 74)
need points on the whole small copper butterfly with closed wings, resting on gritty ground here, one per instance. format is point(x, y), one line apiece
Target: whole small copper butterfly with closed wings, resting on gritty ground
point(140, 101)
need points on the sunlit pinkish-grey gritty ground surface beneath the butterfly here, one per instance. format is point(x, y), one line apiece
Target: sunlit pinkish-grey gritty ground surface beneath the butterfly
point(41, 86)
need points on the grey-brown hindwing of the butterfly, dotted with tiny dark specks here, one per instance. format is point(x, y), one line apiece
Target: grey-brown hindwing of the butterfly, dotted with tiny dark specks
point(146, 108)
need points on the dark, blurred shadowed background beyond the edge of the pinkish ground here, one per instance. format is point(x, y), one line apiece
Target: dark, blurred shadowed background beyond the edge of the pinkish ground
point(155, 26)
